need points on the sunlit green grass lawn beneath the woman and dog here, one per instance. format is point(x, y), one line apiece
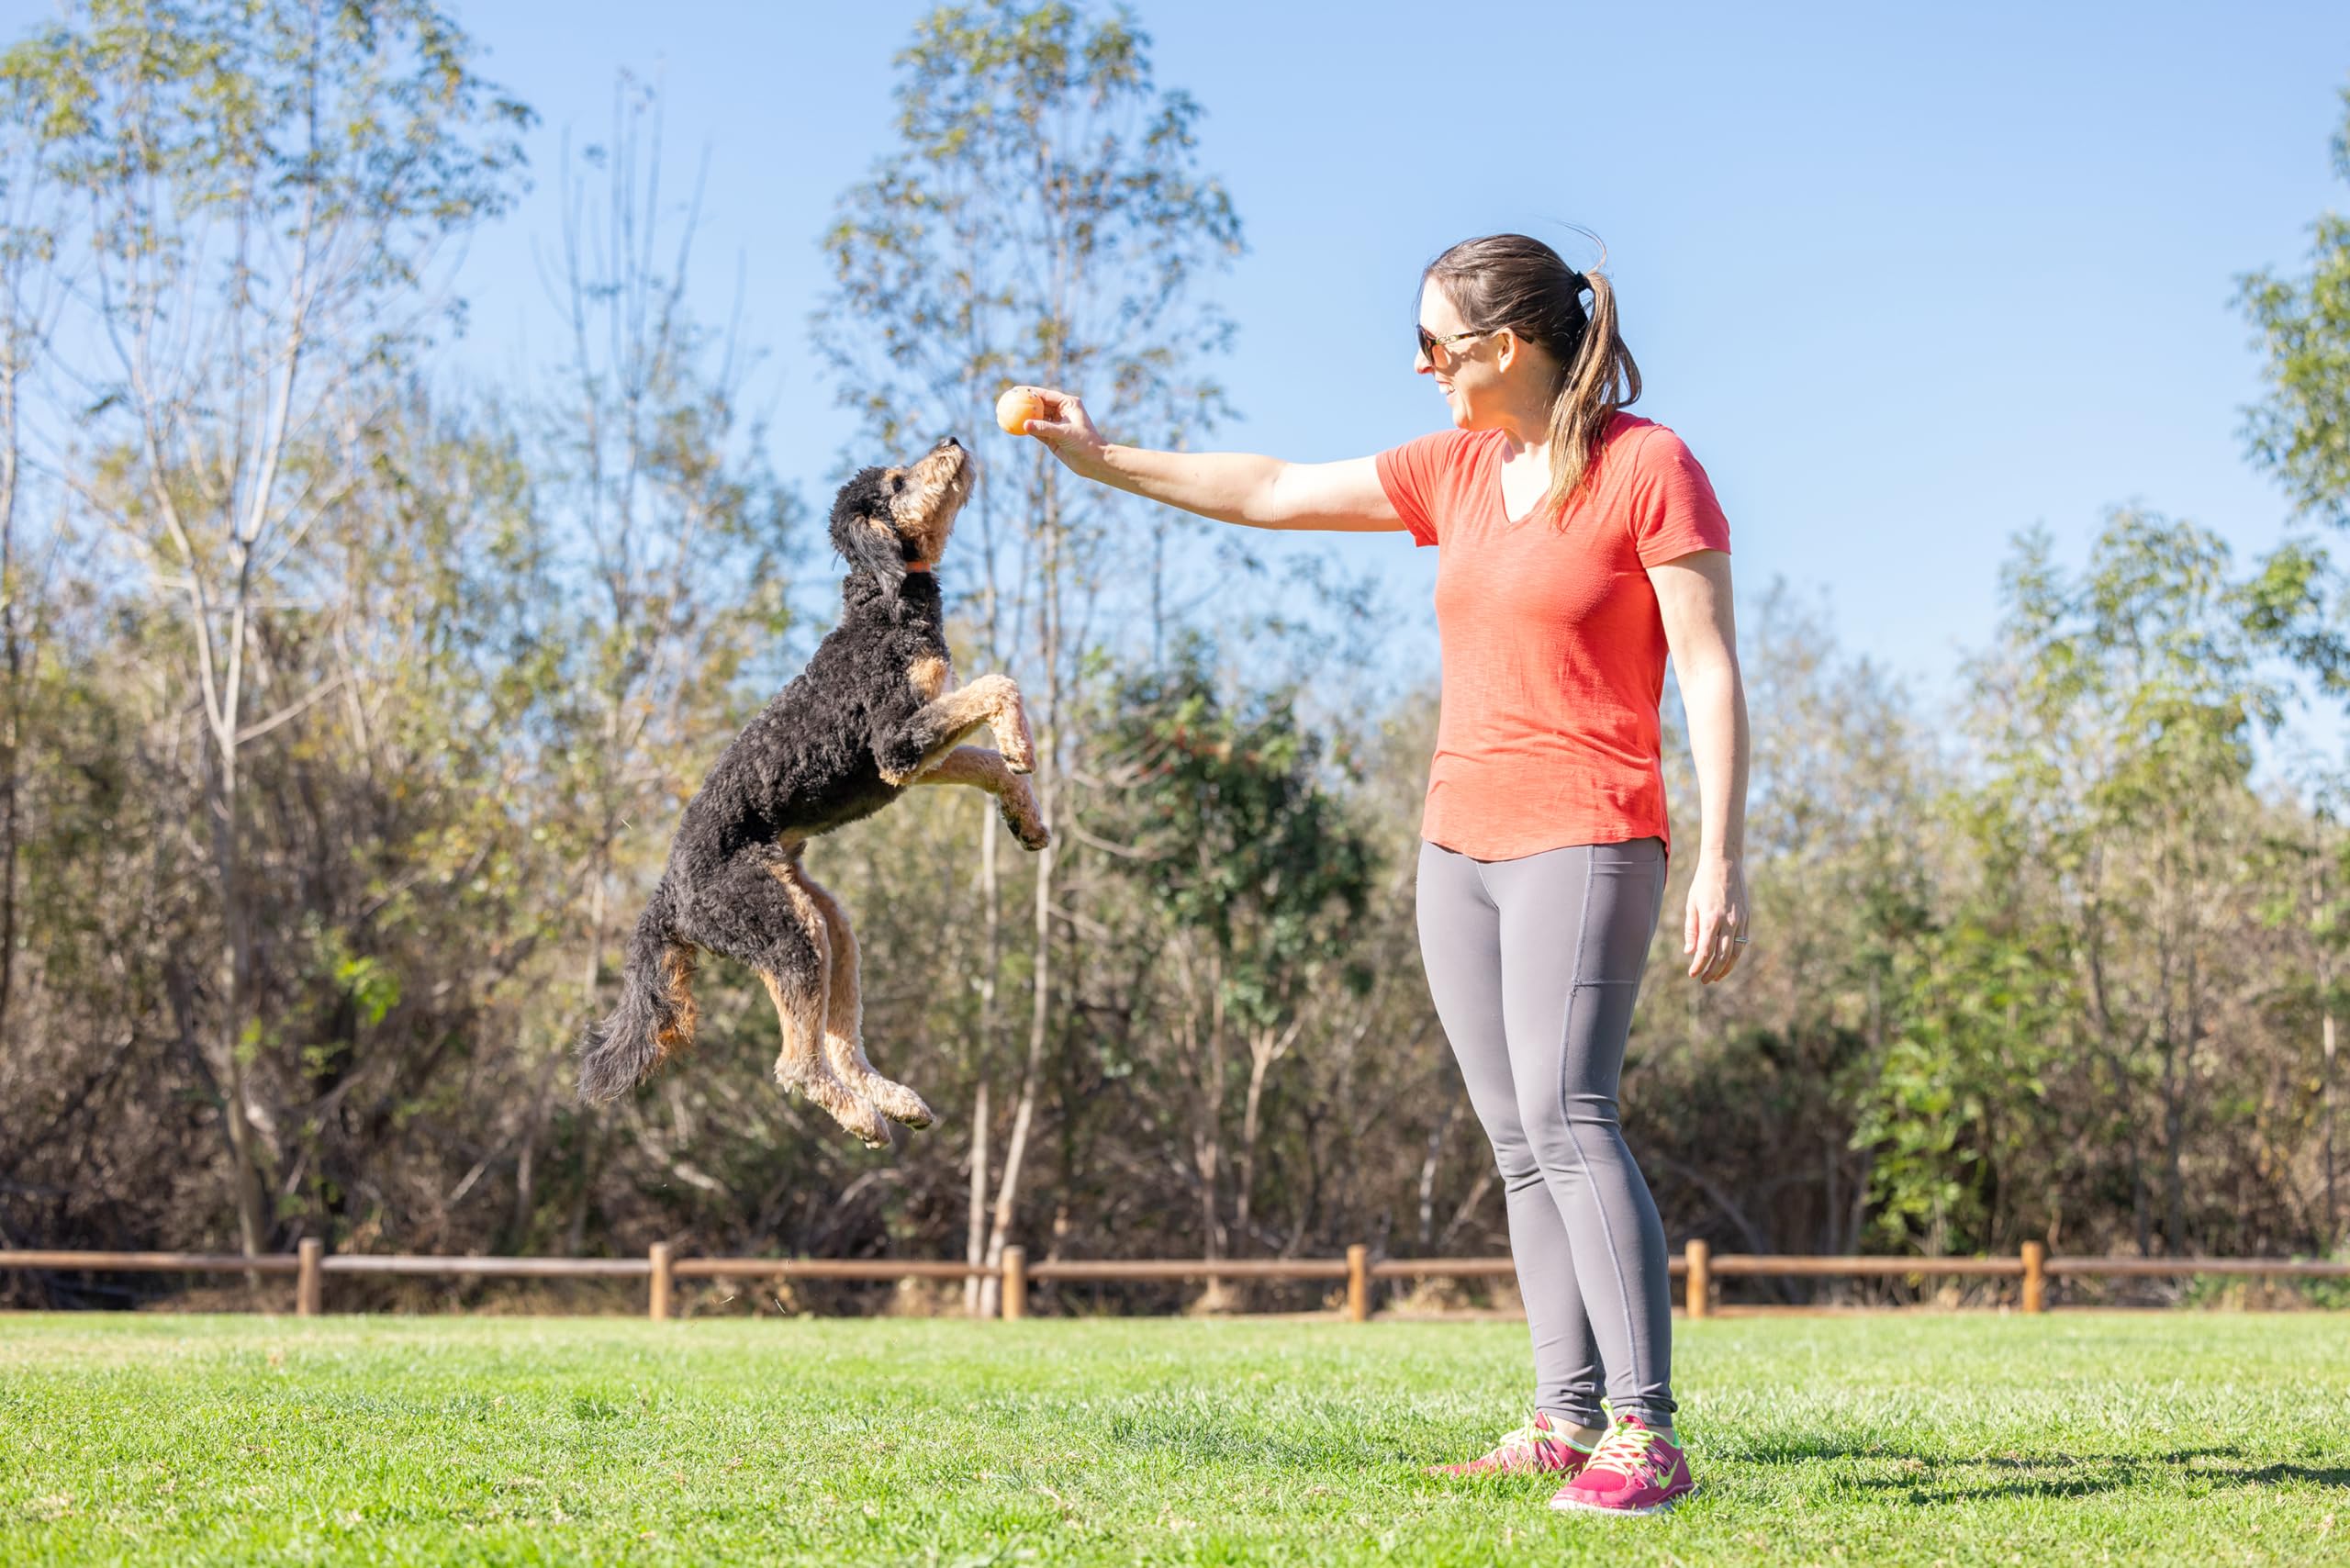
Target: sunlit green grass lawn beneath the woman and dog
point(2079, 1438)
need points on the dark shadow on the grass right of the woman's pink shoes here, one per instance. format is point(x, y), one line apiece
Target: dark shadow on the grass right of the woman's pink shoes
point(2048, 1475)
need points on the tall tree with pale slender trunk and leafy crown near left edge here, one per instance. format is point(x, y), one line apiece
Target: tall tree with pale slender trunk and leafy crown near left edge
point(262, 194)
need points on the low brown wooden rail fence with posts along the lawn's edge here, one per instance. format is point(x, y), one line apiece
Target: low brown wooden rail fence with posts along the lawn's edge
point(662, 1268)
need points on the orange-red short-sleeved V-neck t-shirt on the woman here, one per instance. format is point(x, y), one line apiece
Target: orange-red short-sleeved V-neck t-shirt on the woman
point(1552, 643)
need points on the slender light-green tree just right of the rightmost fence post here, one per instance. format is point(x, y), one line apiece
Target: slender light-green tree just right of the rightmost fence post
point(2119, 718)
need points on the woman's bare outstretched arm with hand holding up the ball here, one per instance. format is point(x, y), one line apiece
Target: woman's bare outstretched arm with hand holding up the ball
point(1226, 485)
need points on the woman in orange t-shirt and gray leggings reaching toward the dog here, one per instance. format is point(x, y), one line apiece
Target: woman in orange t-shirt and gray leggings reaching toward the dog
point(1578, 547)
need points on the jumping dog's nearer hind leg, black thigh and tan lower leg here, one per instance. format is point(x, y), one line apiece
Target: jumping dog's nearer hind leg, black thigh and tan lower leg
point(756, 911)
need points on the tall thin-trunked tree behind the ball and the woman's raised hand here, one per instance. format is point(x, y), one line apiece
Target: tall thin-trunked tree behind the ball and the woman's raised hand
point(1042, 220)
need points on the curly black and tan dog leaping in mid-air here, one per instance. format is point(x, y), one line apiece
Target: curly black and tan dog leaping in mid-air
point(873, 713)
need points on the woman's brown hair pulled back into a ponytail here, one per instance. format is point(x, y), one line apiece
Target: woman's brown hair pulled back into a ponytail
point(1519, 283)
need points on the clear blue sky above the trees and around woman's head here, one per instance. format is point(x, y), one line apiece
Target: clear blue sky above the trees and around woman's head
point(1907, 279)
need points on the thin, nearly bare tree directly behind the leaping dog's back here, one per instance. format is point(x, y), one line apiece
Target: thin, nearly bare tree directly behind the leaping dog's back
point(666, 547)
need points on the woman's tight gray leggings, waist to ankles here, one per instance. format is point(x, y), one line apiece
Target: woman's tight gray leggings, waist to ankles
point(1533, 967)
